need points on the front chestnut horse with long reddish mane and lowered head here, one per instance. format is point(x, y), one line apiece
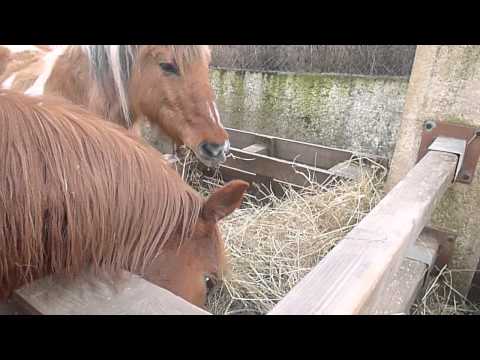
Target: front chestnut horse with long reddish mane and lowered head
point(77, 192)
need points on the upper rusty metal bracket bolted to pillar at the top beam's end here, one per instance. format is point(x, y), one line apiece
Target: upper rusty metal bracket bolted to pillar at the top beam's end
point(433, 130)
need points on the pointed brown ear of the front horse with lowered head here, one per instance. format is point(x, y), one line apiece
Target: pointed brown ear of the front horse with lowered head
point(224, 200)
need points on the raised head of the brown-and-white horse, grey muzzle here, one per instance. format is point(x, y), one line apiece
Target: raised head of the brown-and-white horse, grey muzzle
point(170, 86)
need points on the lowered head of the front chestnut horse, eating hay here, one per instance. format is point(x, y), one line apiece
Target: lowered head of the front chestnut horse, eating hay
point(192, 270)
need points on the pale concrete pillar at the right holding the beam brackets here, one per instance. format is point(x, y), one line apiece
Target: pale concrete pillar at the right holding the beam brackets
point(445, 85)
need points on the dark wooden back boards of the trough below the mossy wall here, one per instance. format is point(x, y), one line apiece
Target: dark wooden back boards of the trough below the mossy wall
point(271, 161)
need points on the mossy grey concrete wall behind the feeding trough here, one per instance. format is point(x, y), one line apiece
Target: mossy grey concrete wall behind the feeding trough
point(352, 112)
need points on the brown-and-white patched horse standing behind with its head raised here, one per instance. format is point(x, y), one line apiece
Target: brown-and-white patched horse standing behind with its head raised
point(166, 85)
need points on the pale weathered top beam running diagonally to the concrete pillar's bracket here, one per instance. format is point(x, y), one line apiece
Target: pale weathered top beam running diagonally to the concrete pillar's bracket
point(352, 276)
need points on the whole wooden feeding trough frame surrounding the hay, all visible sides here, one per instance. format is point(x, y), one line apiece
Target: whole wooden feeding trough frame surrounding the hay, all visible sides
point(377, 268)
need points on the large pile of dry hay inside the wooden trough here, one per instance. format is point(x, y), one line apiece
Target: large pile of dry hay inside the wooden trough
point(273, 244)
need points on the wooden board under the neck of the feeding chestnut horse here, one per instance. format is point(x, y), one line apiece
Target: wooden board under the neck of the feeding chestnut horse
point(87, 295)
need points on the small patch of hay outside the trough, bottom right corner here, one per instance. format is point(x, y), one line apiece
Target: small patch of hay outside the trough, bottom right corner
point(441, 298)
